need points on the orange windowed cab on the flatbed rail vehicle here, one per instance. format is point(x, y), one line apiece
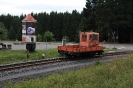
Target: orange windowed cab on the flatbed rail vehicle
point(89, 39)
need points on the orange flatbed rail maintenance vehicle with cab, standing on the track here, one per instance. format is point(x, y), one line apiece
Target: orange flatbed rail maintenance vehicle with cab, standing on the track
point(88, 46)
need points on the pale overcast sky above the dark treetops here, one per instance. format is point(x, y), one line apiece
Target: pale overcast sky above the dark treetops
point(18, 7)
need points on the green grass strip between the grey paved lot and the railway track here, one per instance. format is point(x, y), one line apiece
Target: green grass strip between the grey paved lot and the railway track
point(12, 56)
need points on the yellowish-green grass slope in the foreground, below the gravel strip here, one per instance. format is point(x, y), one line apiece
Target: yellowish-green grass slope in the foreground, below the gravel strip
point(114, 74)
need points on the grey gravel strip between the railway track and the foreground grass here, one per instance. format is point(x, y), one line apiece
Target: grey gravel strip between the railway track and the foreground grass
point(20, 75)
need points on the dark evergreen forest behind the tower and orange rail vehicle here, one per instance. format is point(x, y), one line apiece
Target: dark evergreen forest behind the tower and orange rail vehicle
point(113, 19)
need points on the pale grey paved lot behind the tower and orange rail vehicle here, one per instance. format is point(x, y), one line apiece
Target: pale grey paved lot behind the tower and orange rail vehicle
point(44, 45)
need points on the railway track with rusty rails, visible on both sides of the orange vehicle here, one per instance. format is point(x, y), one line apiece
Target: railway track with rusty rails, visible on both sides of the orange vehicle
point(9, 67)
